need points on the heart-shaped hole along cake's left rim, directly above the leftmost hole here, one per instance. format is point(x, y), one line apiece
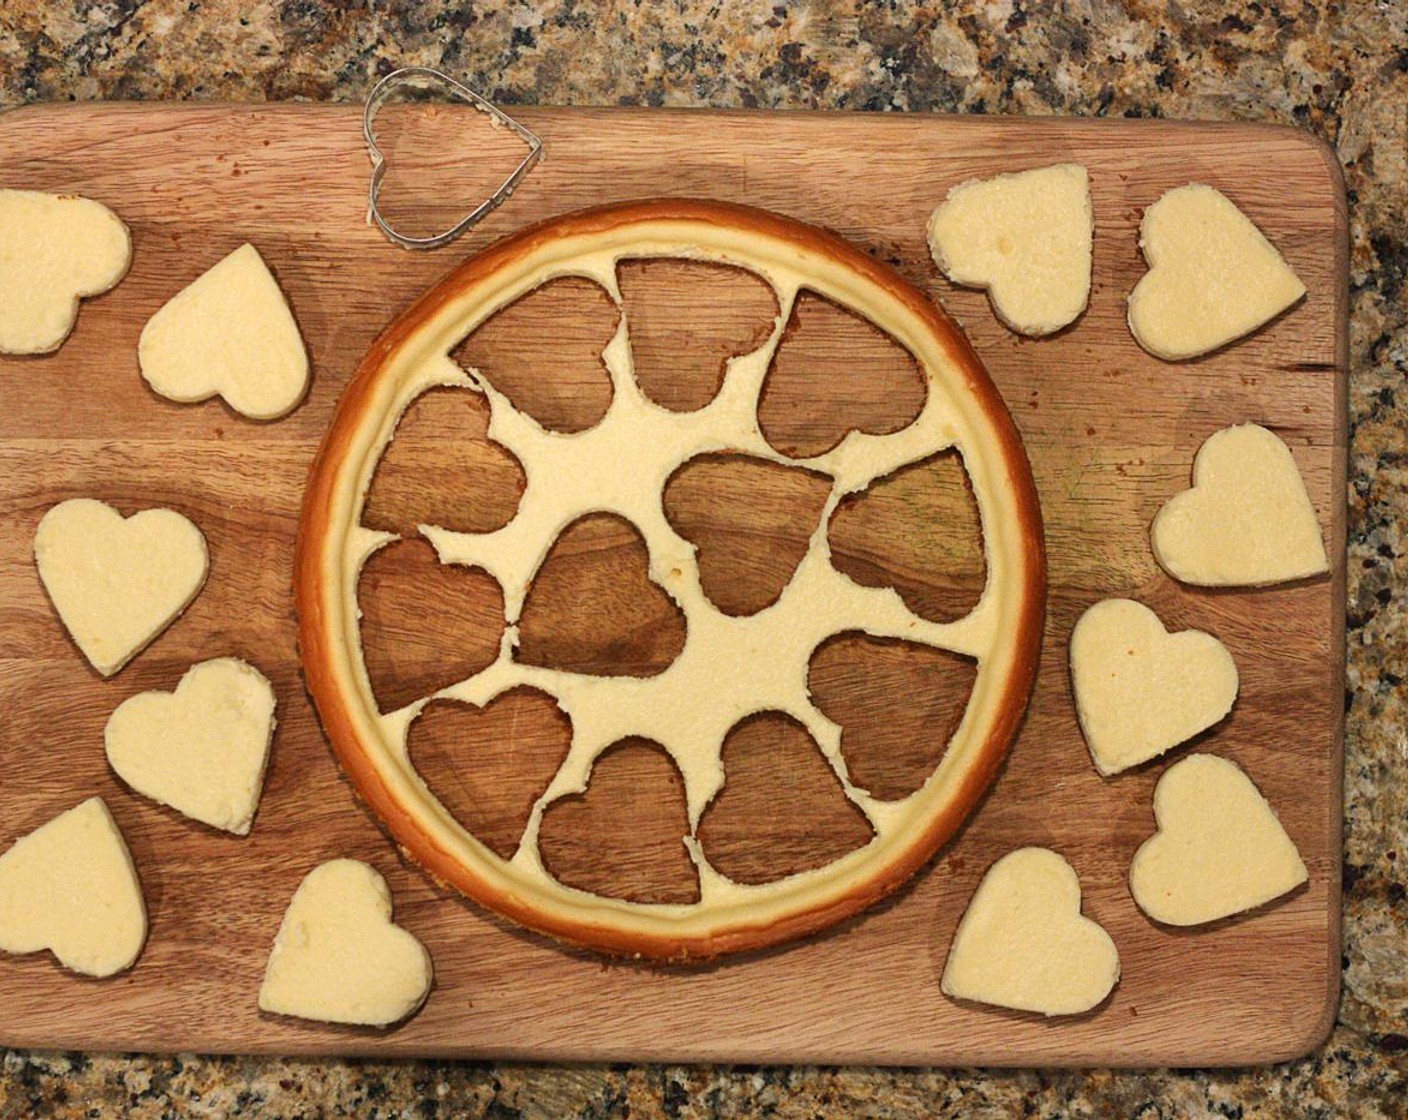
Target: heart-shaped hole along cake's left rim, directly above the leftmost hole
point(443, 470)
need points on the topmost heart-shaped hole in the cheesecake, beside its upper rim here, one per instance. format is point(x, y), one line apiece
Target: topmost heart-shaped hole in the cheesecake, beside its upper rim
point(686, 321)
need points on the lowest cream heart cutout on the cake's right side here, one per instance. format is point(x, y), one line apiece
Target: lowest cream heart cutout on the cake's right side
point(1024, 943)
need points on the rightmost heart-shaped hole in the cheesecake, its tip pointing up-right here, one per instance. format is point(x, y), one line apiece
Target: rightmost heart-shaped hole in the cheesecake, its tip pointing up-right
point(917, 530)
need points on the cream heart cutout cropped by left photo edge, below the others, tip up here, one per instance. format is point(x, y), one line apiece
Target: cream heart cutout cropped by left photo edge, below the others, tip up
point(70, 887)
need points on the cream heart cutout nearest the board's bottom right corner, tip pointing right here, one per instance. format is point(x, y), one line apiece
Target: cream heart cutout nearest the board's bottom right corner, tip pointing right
point(1219, 850)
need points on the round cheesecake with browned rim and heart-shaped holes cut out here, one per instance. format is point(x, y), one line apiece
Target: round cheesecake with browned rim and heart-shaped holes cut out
point(620, 467)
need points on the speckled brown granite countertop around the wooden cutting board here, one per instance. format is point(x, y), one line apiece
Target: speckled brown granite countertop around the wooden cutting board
point(1340, 71)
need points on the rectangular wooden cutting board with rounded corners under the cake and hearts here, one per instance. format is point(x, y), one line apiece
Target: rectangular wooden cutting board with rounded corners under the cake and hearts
point(1112, 435)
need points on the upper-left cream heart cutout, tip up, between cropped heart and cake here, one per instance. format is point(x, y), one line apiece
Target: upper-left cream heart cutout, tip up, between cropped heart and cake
point(229, 333)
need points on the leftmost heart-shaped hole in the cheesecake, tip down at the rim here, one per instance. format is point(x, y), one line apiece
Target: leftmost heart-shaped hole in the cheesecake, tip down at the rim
point(426, 625)
